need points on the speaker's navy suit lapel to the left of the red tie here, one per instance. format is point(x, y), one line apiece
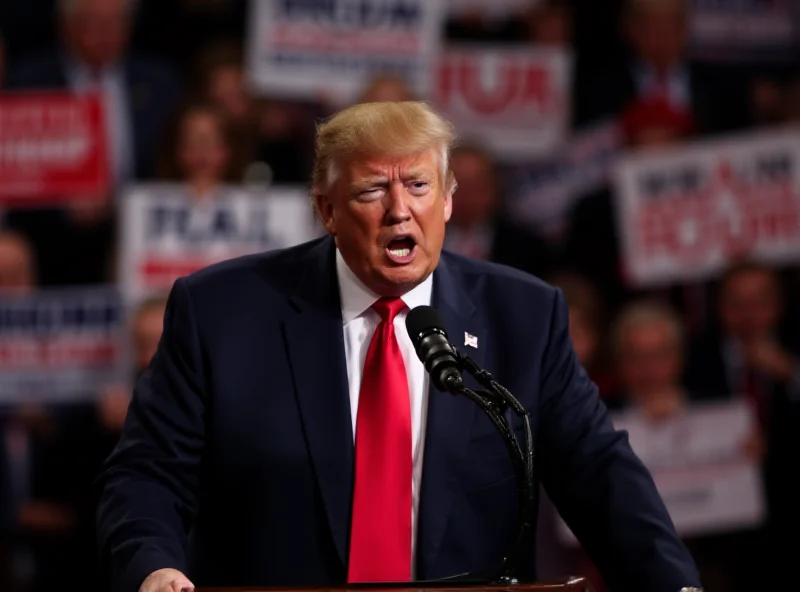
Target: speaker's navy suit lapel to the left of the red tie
point(315, 346)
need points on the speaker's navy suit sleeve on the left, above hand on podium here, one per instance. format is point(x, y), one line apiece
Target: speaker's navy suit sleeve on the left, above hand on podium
point(147, 490)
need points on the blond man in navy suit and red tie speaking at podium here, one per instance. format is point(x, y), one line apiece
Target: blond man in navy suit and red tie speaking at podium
point(284, 433)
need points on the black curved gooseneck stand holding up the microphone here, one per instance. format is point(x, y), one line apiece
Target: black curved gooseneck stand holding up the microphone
point(495, 402)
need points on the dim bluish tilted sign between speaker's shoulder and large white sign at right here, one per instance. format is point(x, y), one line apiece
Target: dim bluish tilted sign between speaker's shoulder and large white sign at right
point(543, 192)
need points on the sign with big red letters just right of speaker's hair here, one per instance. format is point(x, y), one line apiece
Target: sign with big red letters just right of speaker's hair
point(514, 100)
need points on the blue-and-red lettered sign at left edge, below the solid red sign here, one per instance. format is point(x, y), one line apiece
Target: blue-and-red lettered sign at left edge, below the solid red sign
point(61, 344)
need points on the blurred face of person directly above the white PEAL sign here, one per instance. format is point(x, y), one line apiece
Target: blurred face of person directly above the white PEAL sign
point(203, 151)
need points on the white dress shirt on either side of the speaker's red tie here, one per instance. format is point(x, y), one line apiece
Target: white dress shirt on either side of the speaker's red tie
point(359, 323)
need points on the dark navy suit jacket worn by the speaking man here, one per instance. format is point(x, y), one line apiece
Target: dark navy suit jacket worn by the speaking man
point(236, 461)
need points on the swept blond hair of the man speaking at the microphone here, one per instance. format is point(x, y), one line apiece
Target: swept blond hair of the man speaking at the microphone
point(399, 128)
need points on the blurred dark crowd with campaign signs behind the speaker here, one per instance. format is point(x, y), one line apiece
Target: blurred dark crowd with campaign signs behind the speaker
point(642, 155)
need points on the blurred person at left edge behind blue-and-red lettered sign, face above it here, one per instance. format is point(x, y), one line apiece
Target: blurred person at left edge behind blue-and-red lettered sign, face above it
point(37, 483)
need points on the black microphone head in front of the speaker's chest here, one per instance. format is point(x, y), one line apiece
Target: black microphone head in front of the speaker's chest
point(426, 329)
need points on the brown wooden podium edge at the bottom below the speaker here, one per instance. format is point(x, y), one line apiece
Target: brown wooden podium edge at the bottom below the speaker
point(572, 584)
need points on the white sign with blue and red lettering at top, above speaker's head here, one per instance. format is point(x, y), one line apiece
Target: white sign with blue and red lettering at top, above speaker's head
point(308, 49)
